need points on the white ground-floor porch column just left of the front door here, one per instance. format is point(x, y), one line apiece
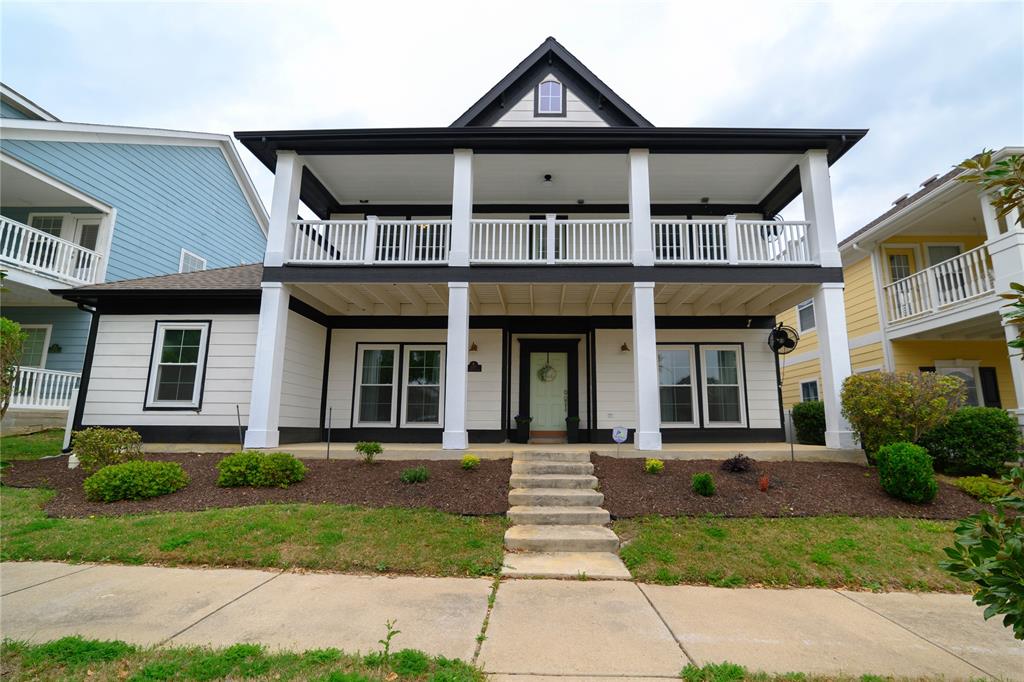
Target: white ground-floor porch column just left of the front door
point(455, 436)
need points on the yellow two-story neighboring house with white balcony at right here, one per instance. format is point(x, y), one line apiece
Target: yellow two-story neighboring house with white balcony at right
point(922, 294)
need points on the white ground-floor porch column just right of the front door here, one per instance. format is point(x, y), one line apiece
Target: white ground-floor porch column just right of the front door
point(649, 406)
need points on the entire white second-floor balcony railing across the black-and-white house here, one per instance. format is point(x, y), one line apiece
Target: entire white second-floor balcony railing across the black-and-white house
point(552, 241)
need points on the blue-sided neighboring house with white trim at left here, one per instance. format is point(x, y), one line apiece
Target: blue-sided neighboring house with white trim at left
point(84, 204)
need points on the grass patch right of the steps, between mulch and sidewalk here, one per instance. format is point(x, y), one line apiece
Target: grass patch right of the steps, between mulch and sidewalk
point(864, 553)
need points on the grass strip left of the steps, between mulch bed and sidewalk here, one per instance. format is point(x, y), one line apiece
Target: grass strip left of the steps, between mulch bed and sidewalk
point(324, 537)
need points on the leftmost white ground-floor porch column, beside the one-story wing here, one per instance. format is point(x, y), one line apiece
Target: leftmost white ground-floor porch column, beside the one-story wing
point(265, 403)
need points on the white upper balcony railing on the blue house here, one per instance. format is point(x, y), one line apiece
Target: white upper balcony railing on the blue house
point(36, 251)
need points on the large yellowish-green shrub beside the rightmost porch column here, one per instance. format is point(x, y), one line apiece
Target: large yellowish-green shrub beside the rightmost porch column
point(888, 407)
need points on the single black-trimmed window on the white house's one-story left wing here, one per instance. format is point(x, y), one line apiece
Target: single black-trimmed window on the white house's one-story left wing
point(179, 365)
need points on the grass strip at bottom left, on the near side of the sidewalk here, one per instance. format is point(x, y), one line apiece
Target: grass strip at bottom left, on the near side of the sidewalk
point(76, 659)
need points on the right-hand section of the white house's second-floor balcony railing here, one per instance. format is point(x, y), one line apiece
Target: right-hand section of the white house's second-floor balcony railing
point(733, 241)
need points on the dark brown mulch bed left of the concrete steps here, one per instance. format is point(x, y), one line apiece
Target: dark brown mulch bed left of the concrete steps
point(450, 488)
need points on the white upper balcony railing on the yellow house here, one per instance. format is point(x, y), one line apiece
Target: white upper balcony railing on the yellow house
point(936, 288)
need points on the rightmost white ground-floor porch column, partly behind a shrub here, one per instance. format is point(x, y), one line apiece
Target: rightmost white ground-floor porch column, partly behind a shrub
point(834, 350)
